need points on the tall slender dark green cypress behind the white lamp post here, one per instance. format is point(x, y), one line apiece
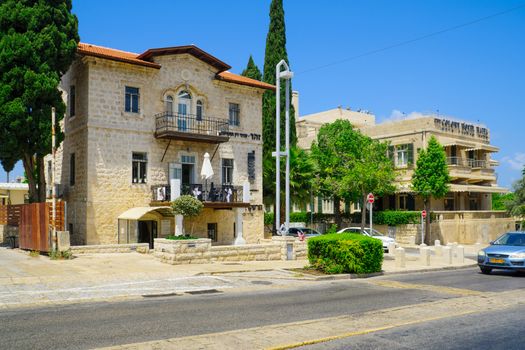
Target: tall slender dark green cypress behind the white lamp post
point(275, 52)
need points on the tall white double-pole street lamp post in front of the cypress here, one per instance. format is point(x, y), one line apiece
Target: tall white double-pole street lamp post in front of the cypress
point(287, 75)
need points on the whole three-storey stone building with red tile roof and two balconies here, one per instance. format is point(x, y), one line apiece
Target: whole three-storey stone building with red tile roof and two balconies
point(135, 122)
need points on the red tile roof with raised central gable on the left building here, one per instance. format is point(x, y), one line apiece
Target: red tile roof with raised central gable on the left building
point(142, 60)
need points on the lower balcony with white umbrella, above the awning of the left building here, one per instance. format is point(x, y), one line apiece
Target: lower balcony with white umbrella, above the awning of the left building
point(222, 197)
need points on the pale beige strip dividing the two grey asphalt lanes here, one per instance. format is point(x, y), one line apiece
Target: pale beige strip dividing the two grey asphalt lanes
point(296, 334)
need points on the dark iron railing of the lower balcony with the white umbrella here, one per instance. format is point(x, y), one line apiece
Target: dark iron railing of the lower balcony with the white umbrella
point(222, 194)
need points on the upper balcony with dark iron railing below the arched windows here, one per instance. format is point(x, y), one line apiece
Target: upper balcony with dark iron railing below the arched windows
point(189, 127)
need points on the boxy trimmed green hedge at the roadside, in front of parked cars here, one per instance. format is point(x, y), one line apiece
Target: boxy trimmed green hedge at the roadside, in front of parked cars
point(345, 253)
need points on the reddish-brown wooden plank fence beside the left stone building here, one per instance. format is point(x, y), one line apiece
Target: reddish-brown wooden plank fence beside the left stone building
point(34, 223)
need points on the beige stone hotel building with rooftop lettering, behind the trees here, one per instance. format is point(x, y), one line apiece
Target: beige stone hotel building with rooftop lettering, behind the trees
point(467, 147)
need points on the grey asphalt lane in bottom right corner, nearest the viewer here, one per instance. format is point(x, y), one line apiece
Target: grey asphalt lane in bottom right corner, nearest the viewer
point(484, 331)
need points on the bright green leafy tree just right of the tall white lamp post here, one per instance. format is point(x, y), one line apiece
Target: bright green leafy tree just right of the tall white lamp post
point(334, 151)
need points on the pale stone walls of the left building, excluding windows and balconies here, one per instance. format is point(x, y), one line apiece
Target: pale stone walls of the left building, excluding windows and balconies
point(102, 136)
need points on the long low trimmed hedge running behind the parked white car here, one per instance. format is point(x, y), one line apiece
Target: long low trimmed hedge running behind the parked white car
point(387, 217)
